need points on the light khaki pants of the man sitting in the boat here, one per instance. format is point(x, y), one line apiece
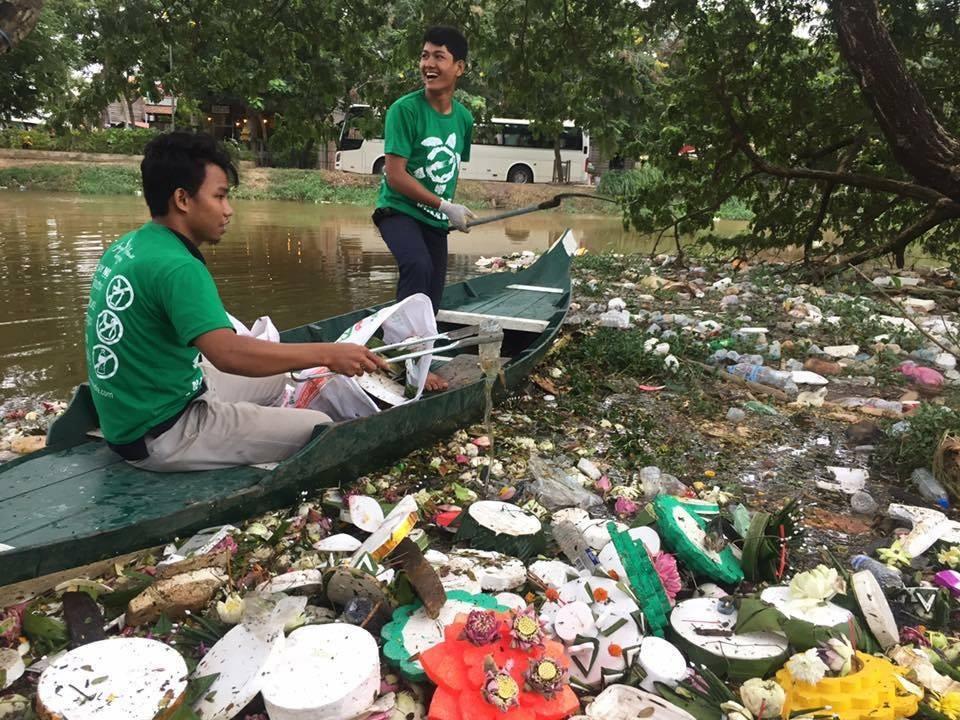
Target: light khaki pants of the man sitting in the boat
point(233, 423)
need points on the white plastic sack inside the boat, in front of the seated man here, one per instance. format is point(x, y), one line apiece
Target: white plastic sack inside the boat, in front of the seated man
point(344, 398)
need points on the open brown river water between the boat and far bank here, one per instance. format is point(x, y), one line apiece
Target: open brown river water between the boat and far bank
point(294, 262)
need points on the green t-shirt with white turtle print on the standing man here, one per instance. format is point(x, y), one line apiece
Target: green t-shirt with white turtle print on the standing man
point(434, 145)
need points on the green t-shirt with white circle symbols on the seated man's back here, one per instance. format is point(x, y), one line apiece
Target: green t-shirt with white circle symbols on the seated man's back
point(151, 297)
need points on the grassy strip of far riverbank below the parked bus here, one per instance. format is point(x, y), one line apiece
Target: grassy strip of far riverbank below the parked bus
point(92, 174)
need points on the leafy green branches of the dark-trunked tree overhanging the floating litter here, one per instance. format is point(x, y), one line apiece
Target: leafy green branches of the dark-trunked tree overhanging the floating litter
point(778, 117)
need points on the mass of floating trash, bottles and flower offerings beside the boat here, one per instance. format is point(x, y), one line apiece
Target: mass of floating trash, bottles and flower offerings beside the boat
point(633, 404)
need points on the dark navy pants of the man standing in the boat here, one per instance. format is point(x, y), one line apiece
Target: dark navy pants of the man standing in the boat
point(421, 254)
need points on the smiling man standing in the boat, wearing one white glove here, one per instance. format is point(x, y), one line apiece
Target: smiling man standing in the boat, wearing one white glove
point(427, 136)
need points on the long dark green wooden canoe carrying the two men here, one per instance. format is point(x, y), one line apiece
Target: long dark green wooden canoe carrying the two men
point(76, 502)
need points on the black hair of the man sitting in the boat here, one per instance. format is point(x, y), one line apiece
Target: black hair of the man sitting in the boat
point(179, 159)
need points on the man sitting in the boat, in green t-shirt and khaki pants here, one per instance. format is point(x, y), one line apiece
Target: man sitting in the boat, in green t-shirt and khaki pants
point(154, 309)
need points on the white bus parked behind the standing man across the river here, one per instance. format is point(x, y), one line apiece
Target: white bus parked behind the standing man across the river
point(503, 149)
